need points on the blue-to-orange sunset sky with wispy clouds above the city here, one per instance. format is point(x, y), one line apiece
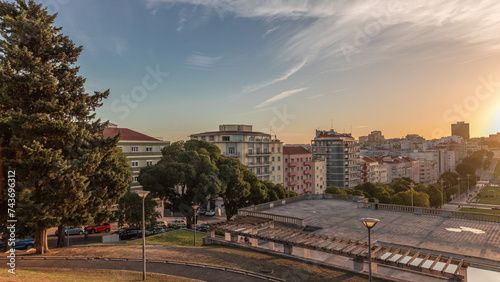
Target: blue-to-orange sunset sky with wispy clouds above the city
point(178, 67)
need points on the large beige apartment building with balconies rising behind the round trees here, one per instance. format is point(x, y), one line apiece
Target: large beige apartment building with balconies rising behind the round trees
point(254, 149)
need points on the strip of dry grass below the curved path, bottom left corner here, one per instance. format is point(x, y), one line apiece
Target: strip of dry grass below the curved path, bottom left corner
point(61, 274)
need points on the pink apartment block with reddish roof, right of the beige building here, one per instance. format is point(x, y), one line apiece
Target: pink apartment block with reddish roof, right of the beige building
point(298, 172)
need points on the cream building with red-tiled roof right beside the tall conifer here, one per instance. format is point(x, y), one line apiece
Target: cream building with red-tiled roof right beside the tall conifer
point(140, 149)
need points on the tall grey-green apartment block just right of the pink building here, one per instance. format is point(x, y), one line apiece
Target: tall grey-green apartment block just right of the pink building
point(341, 153)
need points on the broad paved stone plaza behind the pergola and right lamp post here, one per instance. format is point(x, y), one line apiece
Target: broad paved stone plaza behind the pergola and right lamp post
point(448, 235)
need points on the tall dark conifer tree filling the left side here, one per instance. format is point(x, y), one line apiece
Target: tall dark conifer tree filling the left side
point(65, 170)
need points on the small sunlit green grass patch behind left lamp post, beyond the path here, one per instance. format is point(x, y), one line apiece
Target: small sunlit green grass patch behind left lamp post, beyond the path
point(178, 238)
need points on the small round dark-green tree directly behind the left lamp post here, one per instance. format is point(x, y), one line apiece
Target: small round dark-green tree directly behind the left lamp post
point(130, 210)
